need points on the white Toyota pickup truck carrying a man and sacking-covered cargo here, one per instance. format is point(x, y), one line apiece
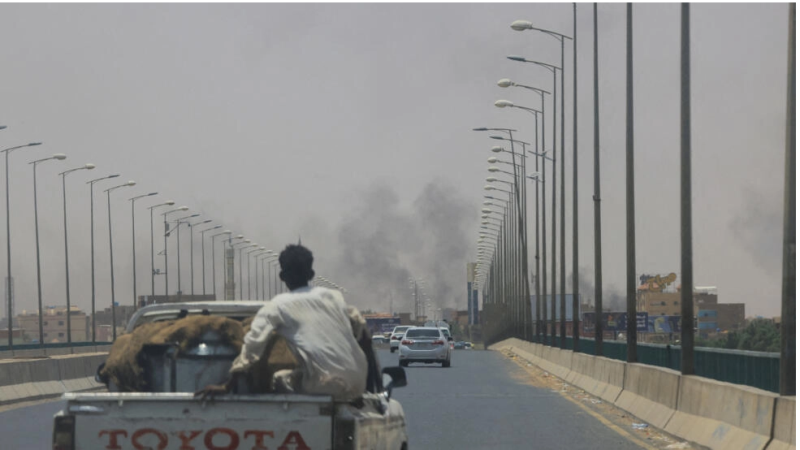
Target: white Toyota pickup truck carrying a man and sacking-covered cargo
point(173, 419)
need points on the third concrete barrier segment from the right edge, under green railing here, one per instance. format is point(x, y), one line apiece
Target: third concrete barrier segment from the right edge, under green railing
point(650, 393)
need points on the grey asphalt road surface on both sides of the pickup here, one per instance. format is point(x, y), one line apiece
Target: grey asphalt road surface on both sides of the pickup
point(482, 402)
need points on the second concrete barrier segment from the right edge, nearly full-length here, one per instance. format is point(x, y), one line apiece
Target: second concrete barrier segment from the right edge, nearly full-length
point(722, 415)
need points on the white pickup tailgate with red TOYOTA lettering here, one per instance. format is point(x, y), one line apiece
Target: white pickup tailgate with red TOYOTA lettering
point(177, 421)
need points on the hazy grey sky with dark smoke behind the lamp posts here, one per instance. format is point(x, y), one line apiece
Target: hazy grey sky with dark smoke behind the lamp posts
point(349, 125)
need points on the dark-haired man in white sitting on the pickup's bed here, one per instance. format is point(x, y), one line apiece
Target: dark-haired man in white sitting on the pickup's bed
point(321, 331)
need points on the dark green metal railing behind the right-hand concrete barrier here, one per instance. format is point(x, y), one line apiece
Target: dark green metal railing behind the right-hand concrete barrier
point(757, 369)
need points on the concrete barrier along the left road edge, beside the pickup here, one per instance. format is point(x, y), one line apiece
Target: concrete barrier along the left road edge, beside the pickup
point(34, 379)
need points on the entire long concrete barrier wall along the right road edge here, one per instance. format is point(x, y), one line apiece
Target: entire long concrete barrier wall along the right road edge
point(708, 412)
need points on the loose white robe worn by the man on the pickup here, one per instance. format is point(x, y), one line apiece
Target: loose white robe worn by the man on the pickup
point(320, 329)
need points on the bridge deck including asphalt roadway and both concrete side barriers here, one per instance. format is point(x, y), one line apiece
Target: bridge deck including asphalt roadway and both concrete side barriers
point(513, 395)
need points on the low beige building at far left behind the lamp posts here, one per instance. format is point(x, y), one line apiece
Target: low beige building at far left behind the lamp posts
point(54, 324)
